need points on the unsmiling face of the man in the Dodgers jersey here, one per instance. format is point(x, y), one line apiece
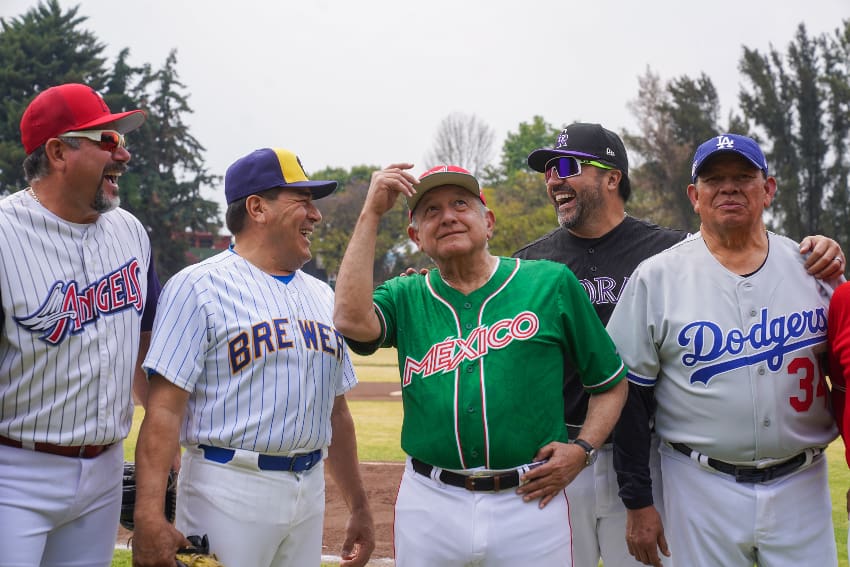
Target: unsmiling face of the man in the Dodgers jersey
point(730, 194)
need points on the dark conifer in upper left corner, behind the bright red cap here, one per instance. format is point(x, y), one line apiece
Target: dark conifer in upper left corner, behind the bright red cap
point(42, 48)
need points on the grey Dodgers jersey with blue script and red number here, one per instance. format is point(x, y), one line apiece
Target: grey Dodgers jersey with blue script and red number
point(735, 362)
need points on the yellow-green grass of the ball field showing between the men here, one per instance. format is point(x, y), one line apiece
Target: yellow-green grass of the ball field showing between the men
point(378, 426)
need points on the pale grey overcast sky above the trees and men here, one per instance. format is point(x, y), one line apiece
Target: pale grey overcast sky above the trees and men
point(344, 82)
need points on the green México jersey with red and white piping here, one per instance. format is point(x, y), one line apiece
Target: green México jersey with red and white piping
point(481, 373)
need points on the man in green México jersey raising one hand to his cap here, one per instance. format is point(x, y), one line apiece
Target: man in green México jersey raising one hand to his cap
point(481, 343)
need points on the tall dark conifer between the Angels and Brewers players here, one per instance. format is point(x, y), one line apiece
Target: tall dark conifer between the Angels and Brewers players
point(163, 189)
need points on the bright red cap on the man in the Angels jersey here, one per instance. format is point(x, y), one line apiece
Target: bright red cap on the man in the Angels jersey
point(69, 107)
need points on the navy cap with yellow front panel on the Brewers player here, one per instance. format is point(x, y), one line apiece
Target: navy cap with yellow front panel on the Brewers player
point(269, 168)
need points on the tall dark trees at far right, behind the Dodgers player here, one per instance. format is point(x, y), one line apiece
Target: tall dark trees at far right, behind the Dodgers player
point(798, 101)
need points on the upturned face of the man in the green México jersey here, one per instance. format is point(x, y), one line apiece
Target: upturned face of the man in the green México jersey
point(449, 222)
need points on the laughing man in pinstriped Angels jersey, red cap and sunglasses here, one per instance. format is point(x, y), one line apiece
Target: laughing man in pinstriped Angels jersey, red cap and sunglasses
point(78, 292)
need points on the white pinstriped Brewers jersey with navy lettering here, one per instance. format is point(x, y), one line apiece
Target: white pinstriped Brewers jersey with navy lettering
point(260, 357)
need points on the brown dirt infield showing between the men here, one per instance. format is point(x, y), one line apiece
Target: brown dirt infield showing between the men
point(381, 481)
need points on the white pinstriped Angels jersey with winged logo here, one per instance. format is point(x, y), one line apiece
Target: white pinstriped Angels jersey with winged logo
point(73, 298)
